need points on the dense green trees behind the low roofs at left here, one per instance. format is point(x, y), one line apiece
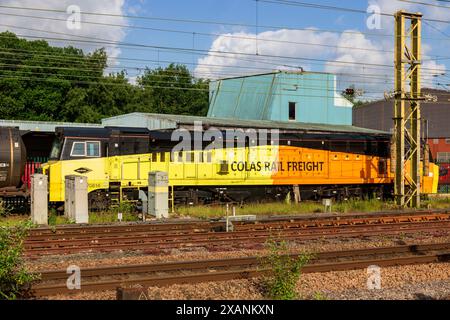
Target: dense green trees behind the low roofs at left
point(42, 82)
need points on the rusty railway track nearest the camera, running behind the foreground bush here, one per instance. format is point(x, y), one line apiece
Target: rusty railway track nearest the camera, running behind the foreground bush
point(163, 274)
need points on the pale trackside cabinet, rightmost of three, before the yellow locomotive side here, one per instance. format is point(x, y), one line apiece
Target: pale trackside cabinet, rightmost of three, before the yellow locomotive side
point(158, 194)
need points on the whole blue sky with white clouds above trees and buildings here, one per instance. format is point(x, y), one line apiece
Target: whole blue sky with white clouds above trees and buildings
point(337, 36)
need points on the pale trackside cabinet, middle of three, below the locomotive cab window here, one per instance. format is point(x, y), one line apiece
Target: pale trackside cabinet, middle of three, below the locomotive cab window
point(76, 199)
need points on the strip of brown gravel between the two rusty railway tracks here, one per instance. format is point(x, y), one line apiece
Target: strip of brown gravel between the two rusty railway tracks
point(127, 257)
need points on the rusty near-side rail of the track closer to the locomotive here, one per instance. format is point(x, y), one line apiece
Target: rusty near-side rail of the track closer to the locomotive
point(233, 238)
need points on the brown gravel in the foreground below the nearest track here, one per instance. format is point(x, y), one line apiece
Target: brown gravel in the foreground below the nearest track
point(428, 281)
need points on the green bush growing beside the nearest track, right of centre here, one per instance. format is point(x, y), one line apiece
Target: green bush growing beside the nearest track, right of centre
point(285, 270)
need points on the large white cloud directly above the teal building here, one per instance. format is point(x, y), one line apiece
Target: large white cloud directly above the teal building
point(270, 44)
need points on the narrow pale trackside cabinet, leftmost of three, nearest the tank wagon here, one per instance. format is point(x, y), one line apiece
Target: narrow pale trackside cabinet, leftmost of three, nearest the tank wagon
point(39, 199)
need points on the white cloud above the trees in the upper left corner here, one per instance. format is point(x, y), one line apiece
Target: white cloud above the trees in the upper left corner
point(108, 33)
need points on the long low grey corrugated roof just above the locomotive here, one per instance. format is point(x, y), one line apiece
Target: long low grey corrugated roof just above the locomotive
point(170, 121)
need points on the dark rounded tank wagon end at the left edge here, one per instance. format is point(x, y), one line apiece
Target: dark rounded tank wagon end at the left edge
point(12, 157)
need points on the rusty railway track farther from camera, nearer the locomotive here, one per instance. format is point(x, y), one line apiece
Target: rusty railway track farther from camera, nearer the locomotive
point(139, 238)
